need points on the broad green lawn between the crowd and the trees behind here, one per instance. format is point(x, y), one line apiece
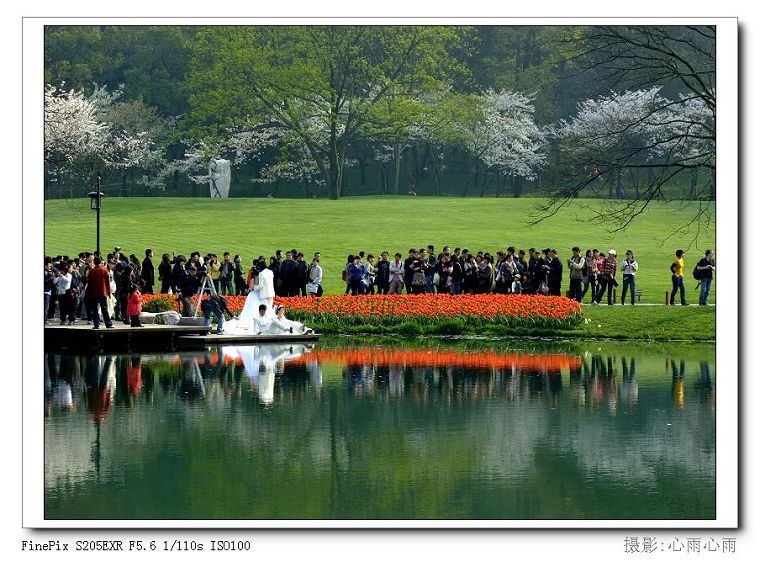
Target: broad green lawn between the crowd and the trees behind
point(337, 228)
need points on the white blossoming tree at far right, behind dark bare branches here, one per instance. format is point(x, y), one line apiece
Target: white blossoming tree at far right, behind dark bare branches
point(638, 135)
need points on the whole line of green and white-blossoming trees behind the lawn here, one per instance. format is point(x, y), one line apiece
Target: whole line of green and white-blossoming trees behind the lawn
point(621, 112)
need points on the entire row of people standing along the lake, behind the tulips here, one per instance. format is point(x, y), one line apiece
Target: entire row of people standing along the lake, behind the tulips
point(83, 284)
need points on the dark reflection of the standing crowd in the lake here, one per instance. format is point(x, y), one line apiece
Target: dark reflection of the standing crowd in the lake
point(279, 374)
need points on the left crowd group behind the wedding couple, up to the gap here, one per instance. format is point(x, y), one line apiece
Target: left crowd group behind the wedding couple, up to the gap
point(78, 286)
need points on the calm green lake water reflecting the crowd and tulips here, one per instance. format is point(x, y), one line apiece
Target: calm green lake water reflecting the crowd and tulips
point(361, 429)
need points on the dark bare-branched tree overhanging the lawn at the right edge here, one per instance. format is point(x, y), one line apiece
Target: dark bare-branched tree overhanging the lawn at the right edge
point(653, 141)
